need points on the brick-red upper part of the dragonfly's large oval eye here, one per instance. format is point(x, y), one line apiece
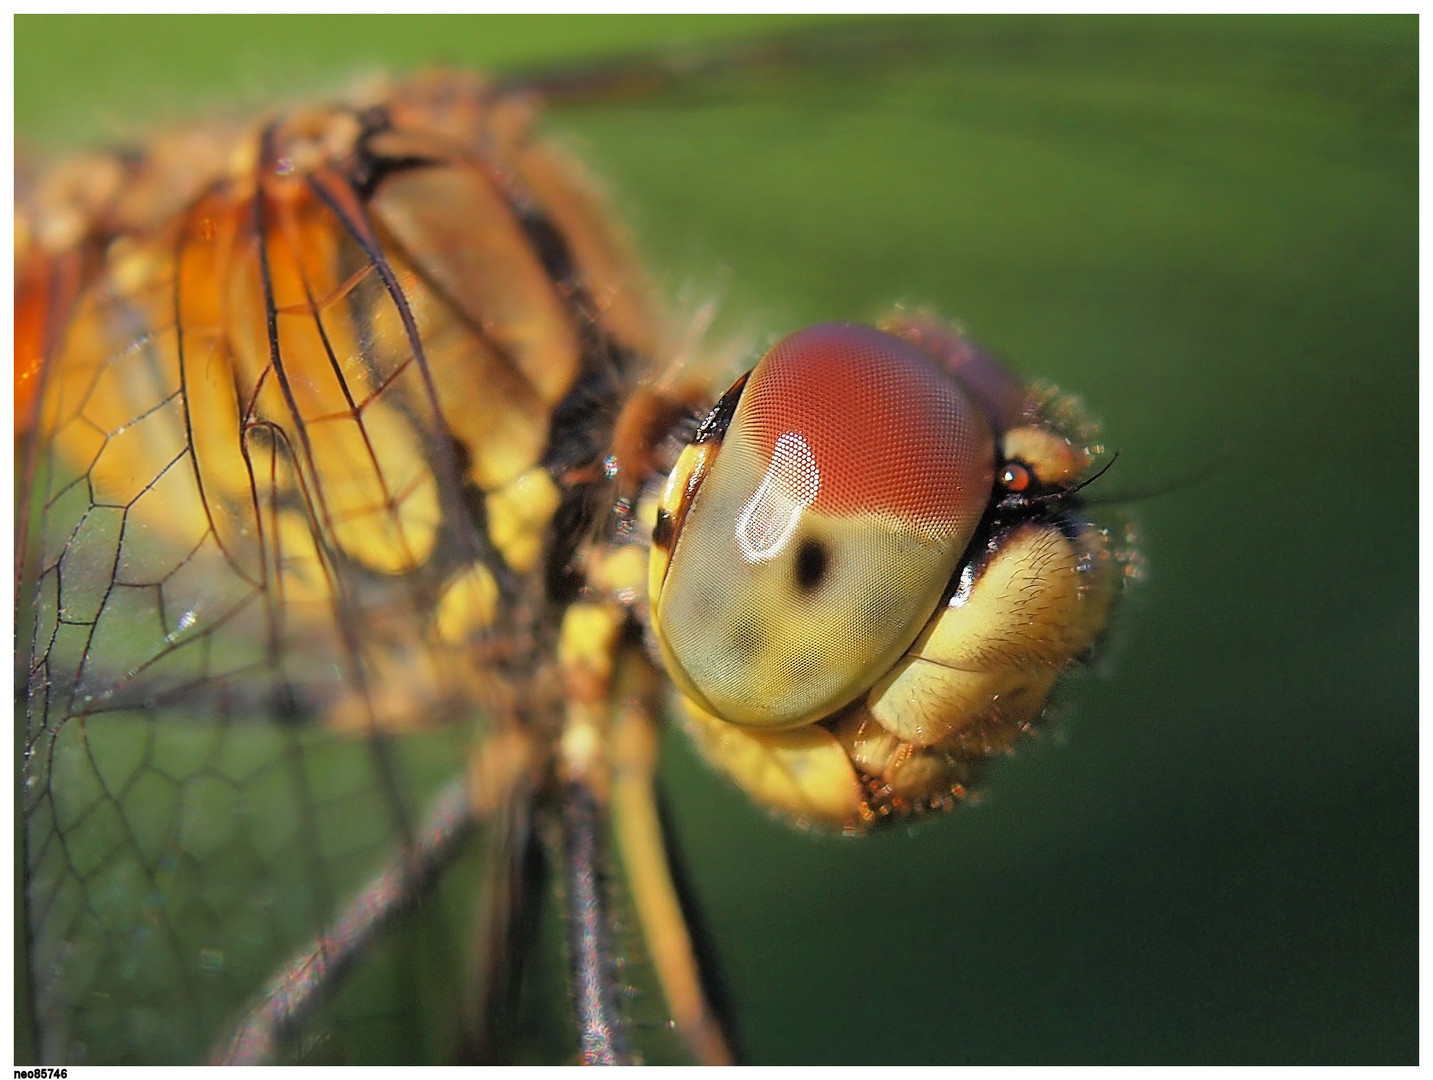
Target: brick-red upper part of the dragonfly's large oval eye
point(886, 429)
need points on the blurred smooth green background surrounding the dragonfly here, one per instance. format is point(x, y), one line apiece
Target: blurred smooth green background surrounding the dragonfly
point(1204, 227)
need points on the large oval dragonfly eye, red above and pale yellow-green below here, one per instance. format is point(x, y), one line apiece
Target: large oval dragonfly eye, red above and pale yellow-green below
point(830, 521)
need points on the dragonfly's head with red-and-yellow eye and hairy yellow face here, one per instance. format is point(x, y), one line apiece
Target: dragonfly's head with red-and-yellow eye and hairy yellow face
point(871, 566)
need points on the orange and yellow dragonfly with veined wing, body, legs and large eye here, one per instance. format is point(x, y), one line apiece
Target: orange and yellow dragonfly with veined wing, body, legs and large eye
point(375, 516)
